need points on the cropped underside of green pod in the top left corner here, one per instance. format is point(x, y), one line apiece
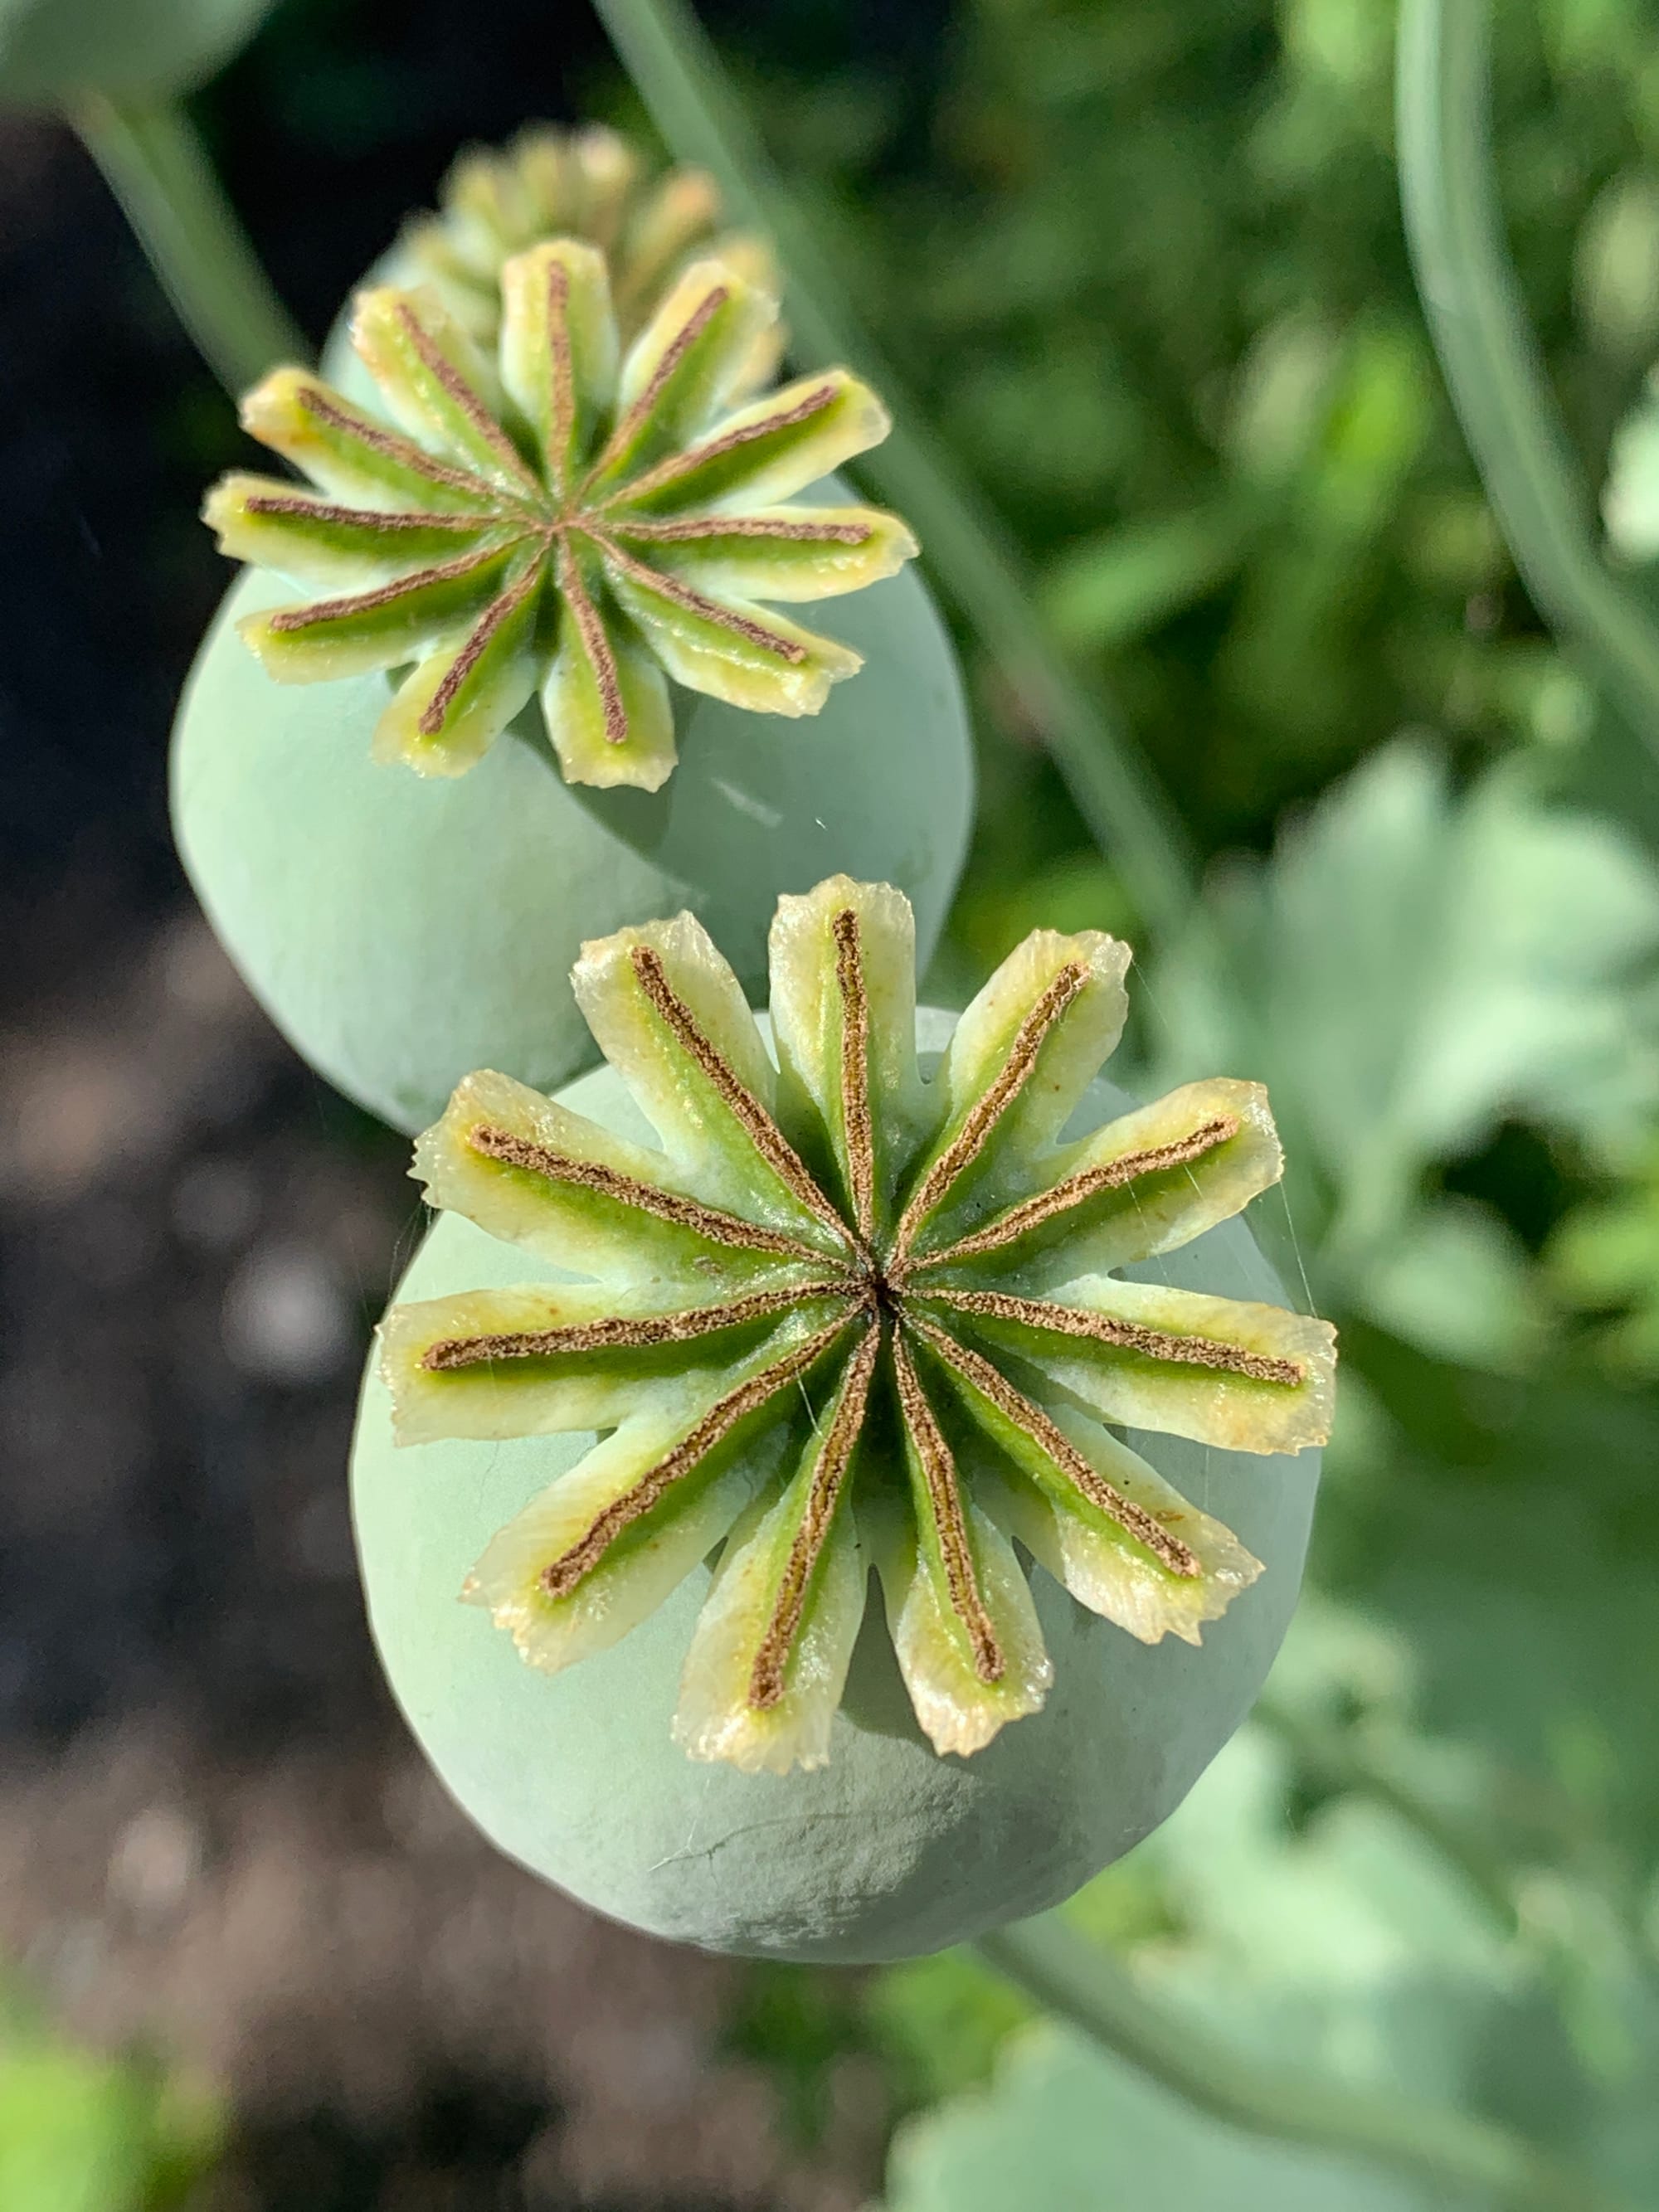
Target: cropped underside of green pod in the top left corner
point(52, 52)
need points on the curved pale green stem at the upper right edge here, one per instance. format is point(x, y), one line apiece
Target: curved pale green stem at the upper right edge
point(1490, 357)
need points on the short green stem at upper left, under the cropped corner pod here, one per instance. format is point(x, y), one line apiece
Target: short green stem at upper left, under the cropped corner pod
point(160, 171)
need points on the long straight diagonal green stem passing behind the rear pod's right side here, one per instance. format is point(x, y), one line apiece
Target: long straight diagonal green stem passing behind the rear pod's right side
point(970, 552)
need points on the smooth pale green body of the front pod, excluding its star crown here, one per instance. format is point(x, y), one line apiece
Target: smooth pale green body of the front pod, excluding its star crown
point(886, 1853)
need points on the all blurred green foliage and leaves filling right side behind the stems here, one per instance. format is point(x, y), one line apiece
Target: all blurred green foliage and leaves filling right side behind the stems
point(1145, 269)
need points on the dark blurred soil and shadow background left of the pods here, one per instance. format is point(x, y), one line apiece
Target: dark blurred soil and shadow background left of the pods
point(216, 1835)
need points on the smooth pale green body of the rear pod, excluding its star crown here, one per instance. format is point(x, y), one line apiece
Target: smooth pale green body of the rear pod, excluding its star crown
point(404, 932)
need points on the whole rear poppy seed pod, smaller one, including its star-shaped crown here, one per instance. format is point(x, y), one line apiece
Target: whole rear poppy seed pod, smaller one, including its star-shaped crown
point(408, 928)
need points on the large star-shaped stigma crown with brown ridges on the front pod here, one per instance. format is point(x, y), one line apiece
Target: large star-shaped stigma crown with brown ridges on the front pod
point(851, 1317)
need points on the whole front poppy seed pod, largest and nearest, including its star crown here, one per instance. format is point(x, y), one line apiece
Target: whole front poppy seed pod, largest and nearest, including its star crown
point(846, 1319)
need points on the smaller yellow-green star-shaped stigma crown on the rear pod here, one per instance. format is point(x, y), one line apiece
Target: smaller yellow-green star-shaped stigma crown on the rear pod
point(578, 523)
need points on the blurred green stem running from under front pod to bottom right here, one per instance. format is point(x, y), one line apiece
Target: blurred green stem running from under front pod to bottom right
point(1454, 2153)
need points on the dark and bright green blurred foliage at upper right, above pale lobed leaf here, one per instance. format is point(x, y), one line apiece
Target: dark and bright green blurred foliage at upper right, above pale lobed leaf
point(1145, 269)
